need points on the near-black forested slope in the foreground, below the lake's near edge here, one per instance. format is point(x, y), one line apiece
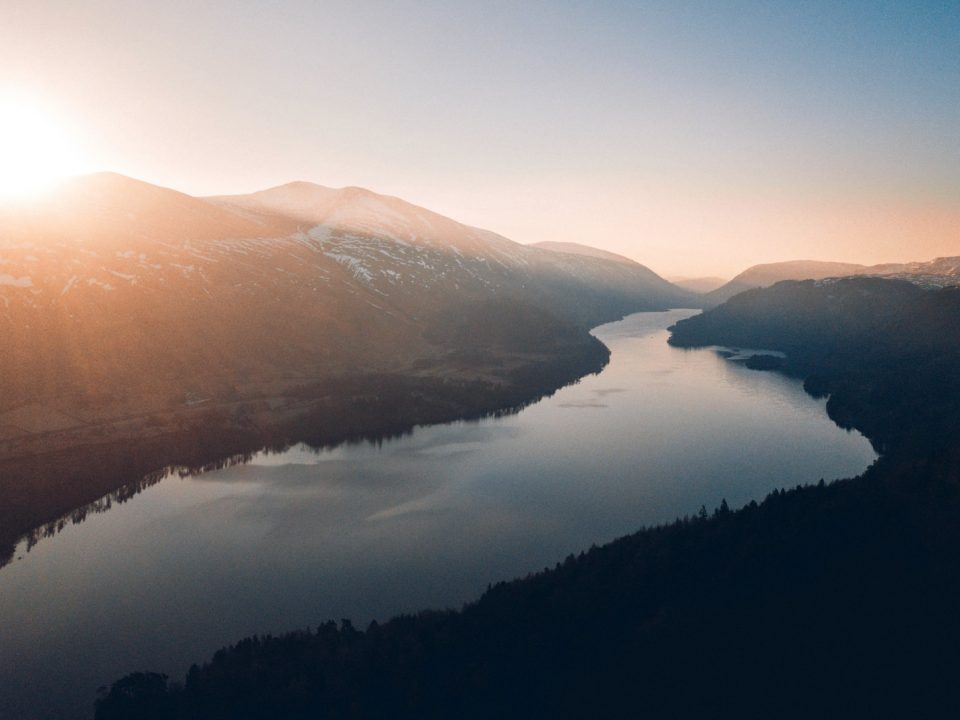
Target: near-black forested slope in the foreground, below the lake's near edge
point(831, 601)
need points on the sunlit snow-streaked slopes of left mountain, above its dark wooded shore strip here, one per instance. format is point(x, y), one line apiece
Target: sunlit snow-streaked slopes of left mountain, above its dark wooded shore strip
point(114, 291)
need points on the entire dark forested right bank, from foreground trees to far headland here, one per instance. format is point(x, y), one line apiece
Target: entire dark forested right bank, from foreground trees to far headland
point(821, 601)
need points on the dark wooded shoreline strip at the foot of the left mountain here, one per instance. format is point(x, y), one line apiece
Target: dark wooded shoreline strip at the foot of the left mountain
point(46, 489)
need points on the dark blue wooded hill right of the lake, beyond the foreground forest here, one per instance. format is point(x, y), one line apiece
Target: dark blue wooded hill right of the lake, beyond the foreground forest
point(883, 350)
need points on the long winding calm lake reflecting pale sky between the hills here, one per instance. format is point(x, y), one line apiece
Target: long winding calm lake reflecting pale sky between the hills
point(427, 520)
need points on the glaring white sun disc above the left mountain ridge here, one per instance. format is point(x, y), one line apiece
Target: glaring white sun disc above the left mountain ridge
point(36, 150)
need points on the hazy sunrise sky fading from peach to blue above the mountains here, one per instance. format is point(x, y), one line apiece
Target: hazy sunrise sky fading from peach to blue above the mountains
point(696, 137)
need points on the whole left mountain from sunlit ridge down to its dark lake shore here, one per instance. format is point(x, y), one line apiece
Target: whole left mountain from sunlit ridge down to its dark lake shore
point(144, 327)
